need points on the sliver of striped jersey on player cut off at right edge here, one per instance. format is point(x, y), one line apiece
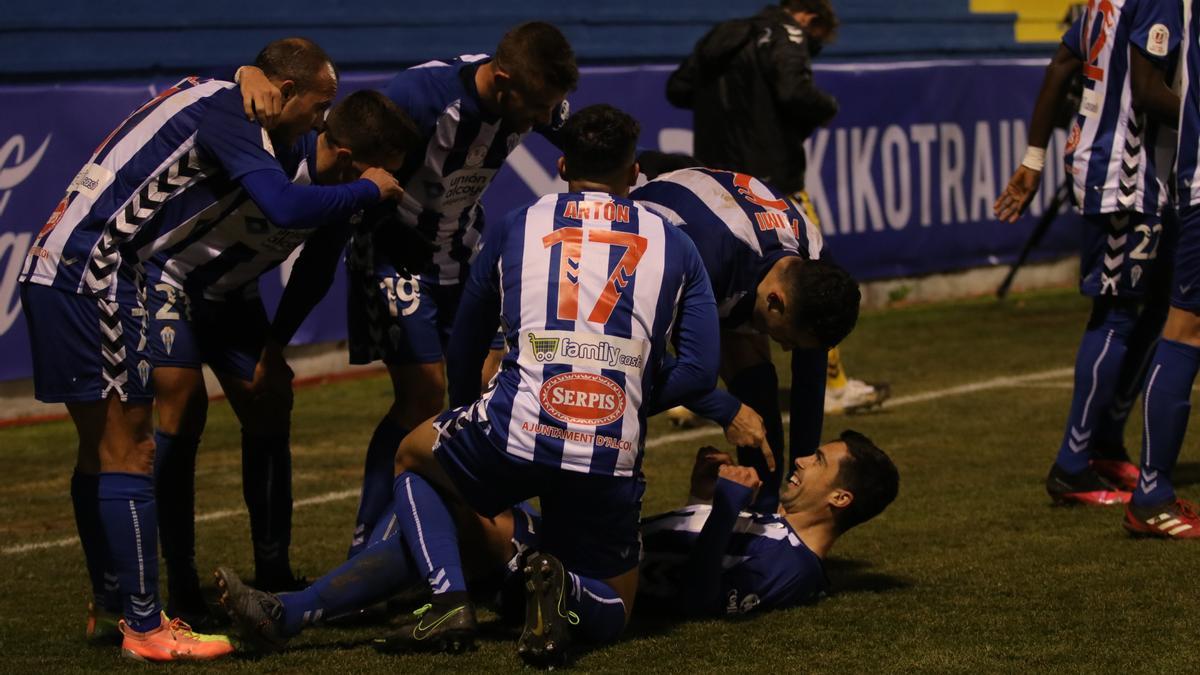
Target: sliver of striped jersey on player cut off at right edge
point(1187, 169)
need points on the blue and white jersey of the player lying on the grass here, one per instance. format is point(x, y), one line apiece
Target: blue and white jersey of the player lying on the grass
point(766, 564)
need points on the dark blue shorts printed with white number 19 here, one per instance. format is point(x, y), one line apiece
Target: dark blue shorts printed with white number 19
point(401, 320)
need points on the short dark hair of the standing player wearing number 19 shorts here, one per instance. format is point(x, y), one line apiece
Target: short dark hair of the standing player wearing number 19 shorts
point(538, 57)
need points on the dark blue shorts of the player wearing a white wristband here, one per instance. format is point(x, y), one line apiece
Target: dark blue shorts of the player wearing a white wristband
point(1125, 255)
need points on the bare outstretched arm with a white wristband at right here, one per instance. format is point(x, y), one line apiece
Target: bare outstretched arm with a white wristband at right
point(1024, 184)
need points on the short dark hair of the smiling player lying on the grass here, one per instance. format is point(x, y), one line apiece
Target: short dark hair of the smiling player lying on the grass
point(868, 474)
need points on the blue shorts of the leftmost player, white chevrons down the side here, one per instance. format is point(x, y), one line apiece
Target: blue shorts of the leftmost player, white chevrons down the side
point(86, 349)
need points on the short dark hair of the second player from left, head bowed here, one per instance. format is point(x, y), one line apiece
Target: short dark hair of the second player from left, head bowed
point(371, 127)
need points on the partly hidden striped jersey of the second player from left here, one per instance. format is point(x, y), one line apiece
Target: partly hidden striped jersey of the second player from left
point(221, 252)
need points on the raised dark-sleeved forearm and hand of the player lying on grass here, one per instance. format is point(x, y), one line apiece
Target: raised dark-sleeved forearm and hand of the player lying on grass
point(736, 489)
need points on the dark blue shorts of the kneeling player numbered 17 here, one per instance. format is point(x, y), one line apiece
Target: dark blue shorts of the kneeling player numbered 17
point(589, 522)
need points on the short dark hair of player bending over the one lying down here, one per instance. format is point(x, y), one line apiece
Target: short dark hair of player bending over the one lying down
point(823, 301)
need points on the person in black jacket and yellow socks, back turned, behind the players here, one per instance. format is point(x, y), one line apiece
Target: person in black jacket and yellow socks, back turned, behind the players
point(749, 85)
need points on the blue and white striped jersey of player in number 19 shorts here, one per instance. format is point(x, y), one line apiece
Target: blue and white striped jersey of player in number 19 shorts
point(465, 147)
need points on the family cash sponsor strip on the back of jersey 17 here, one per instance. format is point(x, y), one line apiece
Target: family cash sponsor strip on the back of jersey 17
point(585, 350)
